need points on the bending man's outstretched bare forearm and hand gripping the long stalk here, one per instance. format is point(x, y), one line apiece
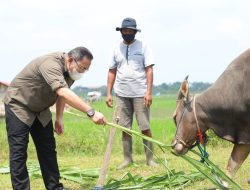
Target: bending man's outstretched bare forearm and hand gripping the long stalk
point(73, 100)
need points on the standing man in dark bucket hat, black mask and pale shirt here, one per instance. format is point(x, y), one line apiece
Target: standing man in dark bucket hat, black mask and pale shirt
point(131, 74)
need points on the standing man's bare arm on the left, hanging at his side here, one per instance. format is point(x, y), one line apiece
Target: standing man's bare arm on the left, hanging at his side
point(110, 84)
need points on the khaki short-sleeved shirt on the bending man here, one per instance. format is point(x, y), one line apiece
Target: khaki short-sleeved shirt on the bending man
point(33, 90)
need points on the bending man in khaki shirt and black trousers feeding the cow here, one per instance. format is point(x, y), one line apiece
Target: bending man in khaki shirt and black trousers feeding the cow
point(43, 82)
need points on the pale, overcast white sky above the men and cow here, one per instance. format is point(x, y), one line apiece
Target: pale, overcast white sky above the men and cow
point(198, 38)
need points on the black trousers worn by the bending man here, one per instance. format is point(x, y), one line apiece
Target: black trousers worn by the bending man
point(18, 139)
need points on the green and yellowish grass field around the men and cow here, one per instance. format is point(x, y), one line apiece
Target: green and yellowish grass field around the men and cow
point(83, 145)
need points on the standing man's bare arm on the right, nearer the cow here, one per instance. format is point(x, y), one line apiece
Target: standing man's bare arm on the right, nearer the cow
point(148, 95)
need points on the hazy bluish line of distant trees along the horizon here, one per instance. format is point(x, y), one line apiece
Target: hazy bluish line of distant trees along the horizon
point(158, 90)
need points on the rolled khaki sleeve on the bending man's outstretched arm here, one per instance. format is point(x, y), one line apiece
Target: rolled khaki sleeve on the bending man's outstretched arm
point(53, 75)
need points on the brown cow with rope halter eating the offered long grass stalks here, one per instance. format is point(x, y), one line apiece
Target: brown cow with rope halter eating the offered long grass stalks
point(224, 108)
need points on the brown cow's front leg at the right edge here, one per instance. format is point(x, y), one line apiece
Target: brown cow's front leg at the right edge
point(238, 156)
